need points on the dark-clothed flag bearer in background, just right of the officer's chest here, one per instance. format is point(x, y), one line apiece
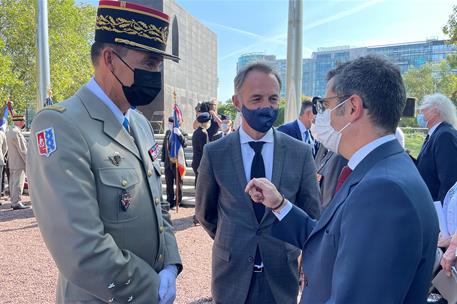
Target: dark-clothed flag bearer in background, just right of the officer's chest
point(170, 166)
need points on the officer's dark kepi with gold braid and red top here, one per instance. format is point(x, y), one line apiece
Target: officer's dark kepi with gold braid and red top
point(133, 26)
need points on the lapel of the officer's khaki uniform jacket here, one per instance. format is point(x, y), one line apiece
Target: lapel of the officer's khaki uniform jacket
point(99, 111)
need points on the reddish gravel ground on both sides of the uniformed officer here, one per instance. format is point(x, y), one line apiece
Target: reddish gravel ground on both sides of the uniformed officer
point(28, 273)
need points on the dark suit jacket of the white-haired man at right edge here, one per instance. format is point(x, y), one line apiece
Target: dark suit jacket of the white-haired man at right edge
point(437, 161)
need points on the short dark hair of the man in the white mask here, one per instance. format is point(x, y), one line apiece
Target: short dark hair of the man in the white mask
point(380, 85)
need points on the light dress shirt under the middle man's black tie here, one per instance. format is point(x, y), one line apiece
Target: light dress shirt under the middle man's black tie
point(248, 153)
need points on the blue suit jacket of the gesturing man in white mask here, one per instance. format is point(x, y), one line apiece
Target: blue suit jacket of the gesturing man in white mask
point(376, 241)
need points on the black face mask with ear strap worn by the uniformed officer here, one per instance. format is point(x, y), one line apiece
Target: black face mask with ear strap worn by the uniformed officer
point(145, 87)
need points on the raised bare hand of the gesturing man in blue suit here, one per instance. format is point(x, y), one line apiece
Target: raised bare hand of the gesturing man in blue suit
point(261, 190)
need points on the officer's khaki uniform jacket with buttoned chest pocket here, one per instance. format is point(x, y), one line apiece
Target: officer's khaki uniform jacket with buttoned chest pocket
point(104, 253)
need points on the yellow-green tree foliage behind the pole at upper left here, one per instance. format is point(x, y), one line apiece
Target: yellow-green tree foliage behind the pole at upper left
point(71, 30)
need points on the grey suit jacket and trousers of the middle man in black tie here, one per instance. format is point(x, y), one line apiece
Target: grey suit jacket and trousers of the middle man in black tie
point(225, 211)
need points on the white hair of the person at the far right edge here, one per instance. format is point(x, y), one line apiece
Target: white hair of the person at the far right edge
point(443, 105)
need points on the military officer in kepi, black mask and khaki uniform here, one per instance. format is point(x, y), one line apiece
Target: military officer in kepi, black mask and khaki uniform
point(94, 172)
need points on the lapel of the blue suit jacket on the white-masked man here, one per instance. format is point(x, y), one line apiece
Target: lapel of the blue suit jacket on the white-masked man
point(381, 152)
